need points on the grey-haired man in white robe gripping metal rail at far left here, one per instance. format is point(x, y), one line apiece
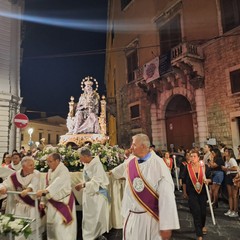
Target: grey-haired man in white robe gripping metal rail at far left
point(25, 180)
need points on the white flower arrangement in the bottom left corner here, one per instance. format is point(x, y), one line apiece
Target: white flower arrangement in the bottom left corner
point(15, 225)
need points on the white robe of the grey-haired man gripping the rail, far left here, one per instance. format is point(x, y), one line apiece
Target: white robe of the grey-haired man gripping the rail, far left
point(18, 207)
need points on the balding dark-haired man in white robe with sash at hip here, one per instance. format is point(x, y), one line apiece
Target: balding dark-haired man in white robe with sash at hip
point(60, 202)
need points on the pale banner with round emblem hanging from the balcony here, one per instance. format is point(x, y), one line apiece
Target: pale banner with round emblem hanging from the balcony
point(151, 70)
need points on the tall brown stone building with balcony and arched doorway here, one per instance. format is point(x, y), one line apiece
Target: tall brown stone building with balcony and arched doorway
point(196, 95)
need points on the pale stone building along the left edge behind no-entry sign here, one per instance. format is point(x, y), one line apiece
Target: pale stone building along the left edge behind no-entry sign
point(10, 54)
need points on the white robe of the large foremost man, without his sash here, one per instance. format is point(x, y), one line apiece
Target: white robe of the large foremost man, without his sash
point(143, 225)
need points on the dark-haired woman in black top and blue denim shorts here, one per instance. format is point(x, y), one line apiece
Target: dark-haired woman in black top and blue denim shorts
point(215, 163)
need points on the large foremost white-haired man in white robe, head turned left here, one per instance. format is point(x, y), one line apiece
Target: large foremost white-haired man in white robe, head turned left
point(138, 222)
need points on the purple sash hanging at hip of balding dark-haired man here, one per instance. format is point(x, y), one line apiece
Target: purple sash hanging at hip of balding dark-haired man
point(64, 209)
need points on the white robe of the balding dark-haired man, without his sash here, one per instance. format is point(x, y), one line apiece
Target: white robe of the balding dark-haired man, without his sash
point(59, 189)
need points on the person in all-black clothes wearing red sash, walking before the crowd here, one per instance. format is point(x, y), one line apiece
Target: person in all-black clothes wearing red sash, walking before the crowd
point(193, 179)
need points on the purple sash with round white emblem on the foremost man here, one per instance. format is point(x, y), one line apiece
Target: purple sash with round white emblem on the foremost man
point(141, 190)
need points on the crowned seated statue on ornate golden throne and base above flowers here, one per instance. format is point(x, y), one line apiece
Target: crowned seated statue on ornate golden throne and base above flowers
point(84, 123)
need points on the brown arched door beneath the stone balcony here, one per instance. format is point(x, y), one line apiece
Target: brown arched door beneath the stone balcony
point(179, 123)
